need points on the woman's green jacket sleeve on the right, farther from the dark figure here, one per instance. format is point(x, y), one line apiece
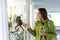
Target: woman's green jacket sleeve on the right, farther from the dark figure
point(52, 34)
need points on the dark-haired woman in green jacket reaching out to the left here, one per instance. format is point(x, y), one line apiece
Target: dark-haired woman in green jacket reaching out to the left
point(44, 28)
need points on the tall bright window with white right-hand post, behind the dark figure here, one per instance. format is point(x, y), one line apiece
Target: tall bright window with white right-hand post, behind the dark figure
point(22, 8)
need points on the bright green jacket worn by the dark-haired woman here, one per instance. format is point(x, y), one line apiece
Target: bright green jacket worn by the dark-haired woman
point(39, 26)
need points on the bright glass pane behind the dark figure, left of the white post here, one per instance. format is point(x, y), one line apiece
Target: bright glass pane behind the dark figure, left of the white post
point(16, 8)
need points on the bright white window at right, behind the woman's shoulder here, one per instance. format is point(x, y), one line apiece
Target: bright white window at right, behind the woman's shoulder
point(55, 17)
